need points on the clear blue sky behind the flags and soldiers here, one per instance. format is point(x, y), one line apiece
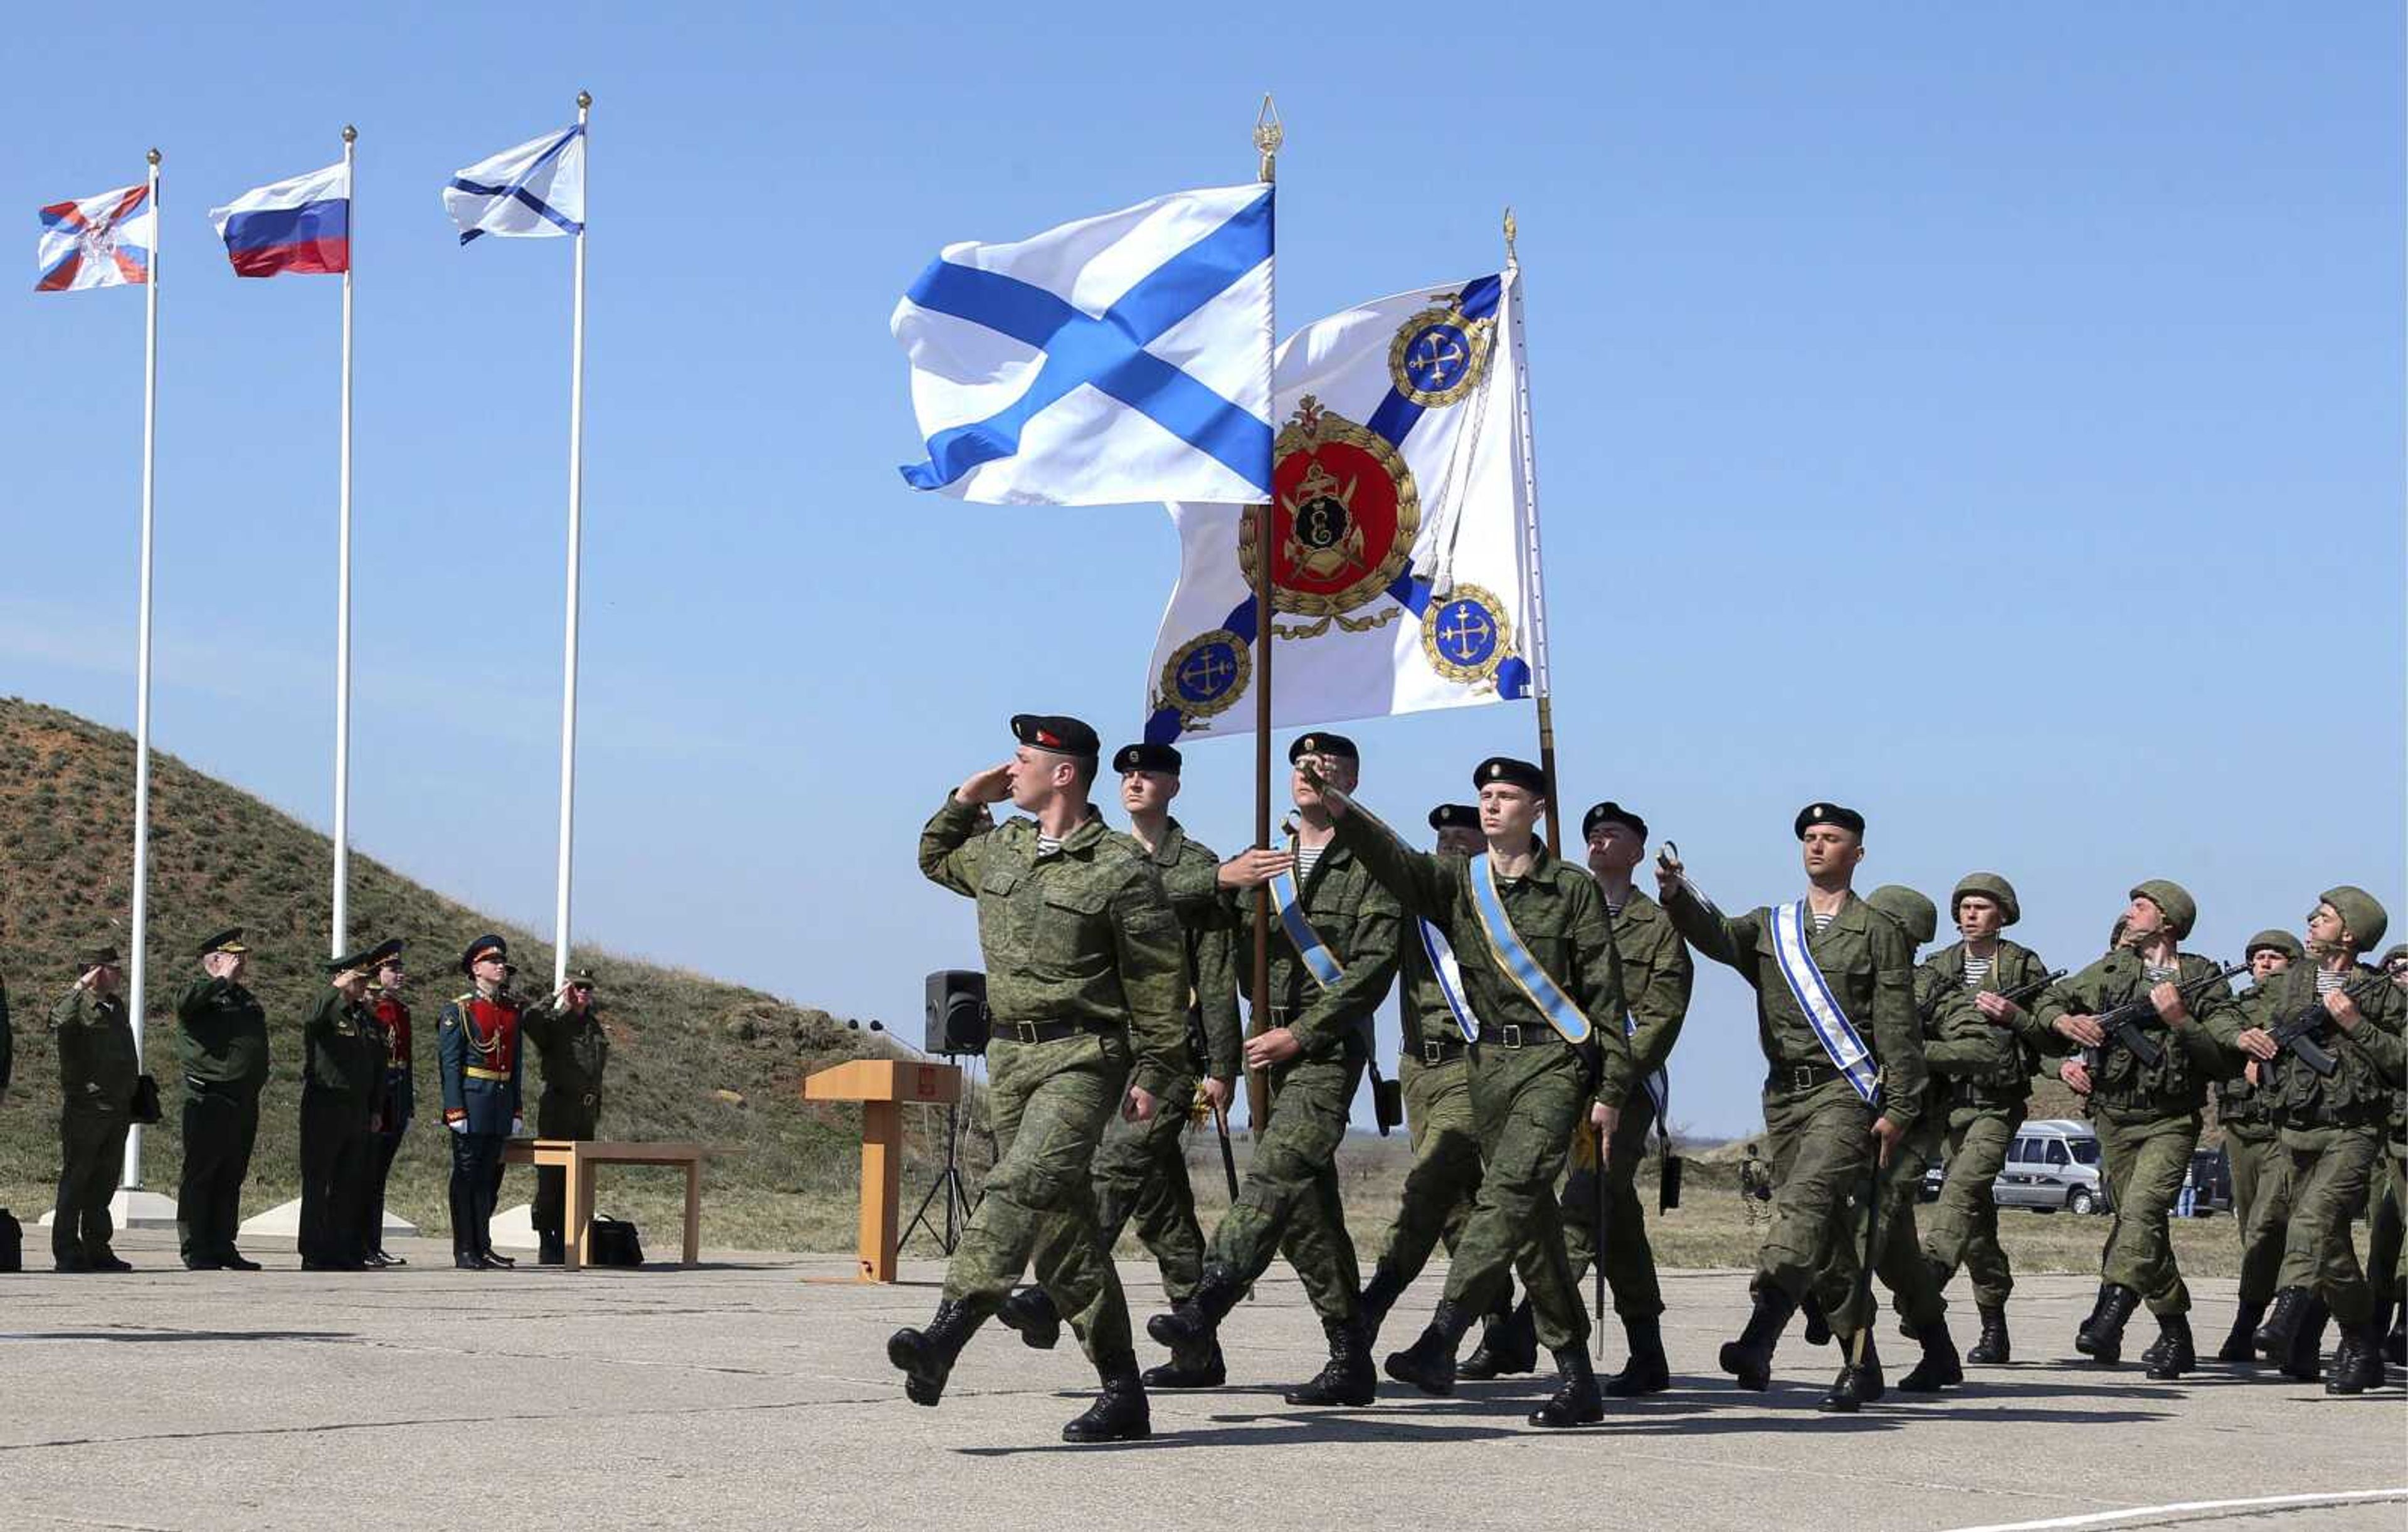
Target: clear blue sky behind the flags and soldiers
point(1985, 418)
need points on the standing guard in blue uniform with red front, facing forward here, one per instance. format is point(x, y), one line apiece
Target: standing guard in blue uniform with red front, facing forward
point(478, 1059)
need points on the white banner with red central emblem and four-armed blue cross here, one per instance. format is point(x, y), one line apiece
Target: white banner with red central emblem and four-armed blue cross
point(1398, 531)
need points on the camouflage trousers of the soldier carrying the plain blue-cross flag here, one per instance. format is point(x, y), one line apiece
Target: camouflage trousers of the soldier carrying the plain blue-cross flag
point(1289, 1203)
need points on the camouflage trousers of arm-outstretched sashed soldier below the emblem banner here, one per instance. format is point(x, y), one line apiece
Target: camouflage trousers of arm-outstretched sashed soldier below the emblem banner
point(1525, 1104)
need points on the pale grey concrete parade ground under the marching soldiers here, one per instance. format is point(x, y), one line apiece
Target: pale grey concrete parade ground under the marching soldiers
point(755, 1393)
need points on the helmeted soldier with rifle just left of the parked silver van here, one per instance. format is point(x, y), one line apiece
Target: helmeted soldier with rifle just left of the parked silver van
point(1983, 1097)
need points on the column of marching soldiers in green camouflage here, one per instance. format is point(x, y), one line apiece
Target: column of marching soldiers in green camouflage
point(1542, 1003)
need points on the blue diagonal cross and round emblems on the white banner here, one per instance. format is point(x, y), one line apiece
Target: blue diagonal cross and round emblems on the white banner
point(1345, 519)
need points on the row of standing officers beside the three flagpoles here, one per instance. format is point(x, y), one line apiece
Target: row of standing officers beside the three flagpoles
point(358, 1102)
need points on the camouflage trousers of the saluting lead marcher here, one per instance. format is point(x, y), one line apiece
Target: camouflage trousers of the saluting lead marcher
point(1049, 1104)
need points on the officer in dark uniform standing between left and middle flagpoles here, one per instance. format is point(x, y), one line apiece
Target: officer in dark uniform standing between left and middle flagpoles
point(223, 1039)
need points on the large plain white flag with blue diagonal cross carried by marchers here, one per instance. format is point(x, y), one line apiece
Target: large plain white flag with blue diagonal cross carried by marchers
point(1114, 360)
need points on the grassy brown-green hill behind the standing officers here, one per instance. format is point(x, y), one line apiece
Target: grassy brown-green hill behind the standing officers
point(692, 1059)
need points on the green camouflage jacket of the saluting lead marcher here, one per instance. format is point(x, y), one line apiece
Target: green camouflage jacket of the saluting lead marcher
point(1080, 936)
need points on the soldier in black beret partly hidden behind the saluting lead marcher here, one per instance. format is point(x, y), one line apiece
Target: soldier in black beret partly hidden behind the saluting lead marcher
point(1140, 1167)
